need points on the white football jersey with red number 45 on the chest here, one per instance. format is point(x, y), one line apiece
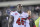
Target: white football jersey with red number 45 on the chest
point(16, 16)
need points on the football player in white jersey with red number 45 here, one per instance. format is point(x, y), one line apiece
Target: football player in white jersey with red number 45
point(19, 17)
